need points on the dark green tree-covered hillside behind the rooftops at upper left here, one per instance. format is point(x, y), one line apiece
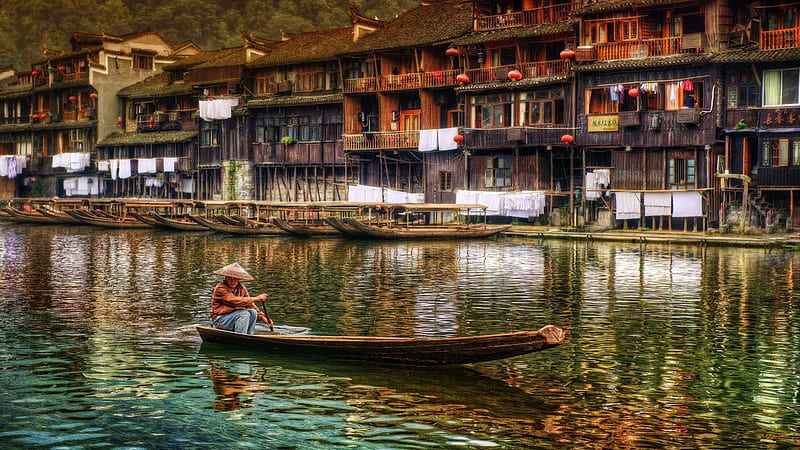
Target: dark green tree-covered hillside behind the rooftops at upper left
point(27, 27)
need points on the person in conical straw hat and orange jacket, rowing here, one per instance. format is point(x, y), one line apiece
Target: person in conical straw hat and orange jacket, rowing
point(232, 308)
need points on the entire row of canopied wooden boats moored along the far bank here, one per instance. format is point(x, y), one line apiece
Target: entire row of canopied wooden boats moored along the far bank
point(373, 221)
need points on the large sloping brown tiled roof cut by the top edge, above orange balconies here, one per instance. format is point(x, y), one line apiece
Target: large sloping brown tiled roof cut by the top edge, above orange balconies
point(426, 24)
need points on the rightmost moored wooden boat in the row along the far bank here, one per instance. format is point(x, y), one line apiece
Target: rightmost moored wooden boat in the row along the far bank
point(426, 232)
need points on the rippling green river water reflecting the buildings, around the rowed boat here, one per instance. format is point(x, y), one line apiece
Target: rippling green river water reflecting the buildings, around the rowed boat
point(668, 346)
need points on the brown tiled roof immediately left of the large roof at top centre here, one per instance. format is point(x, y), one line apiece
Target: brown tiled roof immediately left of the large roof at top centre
point(306, 47)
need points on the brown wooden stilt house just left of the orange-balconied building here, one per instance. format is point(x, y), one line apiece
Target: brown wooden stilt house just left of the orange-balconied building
point(295, 119)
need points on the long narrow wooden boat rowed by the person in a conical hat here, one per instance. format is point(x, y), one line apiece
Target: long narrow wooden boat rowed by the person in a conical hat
point(457, 350)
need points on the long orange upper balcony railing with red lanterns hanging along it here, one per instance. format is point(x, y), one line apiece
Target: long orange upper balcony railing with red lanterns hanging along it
point(437, 78)
